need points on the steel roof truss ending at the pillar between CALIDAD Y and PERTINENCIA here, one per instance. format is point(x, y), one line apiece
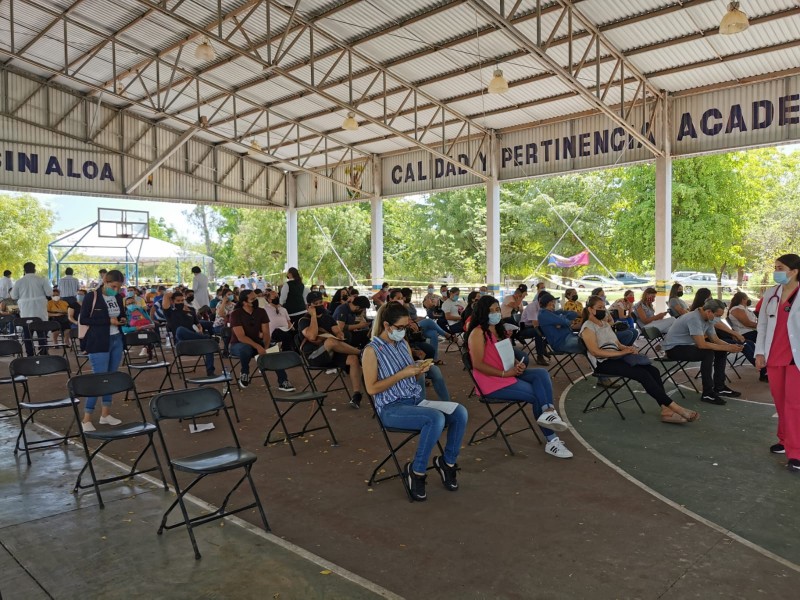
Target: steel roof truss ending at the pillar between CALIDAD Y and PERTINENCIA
point(245, 53)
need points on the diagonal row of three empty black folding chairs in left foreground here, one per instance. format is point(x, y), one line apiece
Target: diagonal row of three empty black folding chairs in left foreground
point(182, 405)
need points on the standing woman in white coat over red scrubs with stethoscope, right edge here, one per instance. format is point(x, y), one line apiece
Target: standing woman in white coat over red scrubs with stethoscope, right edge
point(778, 348)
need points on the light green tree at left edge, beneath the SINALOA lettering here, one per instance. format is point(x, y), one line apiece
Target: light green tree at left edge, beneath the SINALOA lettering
point(26, 226)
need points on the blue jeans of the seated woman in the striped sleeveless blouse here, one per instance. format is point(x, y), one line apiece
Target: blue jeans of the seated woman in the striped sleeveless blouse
point(430, 423)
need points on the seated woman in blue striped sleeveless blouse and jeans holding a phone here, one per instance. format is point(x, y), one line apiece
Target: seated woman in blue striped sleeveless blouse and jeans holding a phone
point(390, 376)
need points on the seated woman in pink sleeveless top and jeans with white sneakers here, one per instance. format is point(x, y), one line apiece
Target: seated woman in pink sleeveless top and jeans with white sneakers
point(517, 383)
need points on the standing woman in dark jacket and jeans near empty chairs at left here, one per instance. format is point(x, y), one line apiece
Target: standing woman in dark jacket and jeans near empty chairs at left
point(103, 311)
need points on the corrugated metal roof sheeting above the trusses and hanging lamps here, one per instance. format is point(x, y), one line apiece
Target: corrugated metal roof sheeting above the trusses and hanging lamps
point(447, 48)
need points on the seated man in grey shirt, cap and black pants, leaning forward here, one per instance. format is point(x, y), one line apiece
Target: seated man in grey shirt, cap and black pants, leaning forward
point(692, 337)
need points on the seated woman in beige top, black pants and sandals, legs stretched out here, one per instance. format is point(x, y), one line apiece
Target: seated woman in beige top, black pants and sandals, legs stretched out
point(610, 357)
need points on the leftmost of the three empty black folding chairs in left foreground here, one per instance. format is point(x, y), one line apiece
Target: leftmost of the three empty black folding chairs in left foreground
point(22, 370)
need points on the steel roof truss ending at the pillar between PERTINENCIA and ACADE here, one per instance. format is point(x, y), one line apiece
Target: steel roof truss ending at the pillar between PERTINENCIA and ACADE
point(539, 52)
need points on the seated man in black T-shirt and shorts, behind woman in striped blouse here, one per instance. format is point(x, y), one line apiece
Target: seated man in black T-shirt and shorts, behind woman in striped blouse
point(322, 342)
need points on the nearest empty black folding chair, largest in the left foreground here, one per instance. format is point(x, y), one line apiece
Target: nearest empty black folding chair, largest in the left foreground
point(186, 405)
